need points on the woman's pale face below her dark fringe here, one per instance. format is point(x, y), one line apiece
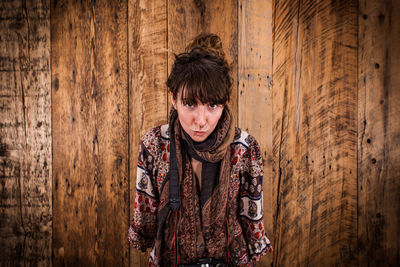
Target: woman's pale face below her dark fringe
point(198, 120)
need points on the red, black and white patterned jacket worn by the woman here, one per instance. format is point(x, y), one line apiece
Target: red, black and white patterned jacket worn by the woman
point(245, 190)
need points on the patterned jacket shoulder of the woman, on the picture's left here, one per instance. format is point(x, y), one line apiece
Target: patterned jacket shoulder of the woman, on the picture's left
point(156, 139)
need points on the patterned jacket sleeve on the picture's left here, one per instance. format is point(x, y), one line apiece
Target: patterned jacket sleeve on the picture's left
point(143, 228)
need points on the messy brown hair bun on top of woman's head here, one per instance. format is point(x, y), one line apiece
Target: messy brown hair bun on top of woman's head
point(209, 42)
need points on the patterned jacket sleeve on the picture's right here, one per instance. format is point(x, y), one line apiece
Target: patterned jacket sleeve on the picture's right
point(251, 202)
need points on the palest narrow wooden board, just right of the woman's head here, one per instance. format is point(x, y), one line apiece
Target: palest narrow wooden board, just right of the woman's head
point(255, 89)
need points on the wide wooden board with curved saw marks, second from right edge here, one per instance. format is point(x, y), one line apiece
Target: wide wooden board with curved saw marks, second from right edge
point(315, 132)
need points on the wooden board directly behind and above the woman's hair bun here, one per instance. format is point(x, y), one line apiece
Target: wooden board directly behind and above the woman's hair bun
point(186, 19)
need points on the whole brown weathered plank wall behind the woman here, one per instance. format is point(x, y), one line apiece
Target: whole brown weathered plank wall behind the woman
point(316, 82)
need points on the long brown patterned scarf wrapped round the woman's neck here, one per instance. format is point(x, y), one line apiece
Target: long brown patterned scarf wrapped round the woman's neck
point(199, 222)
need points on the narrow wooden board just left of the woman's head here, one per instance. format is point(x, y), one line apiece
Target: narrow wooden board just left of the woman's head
point(147, 28)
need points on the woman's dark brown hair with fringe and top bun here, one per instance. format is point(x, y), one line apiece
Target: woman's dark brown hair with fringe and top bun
point(201, 72)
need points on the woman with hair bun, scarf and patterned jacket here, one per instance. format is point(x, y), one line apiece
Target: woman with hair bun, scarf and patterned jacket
point(199, 181)
